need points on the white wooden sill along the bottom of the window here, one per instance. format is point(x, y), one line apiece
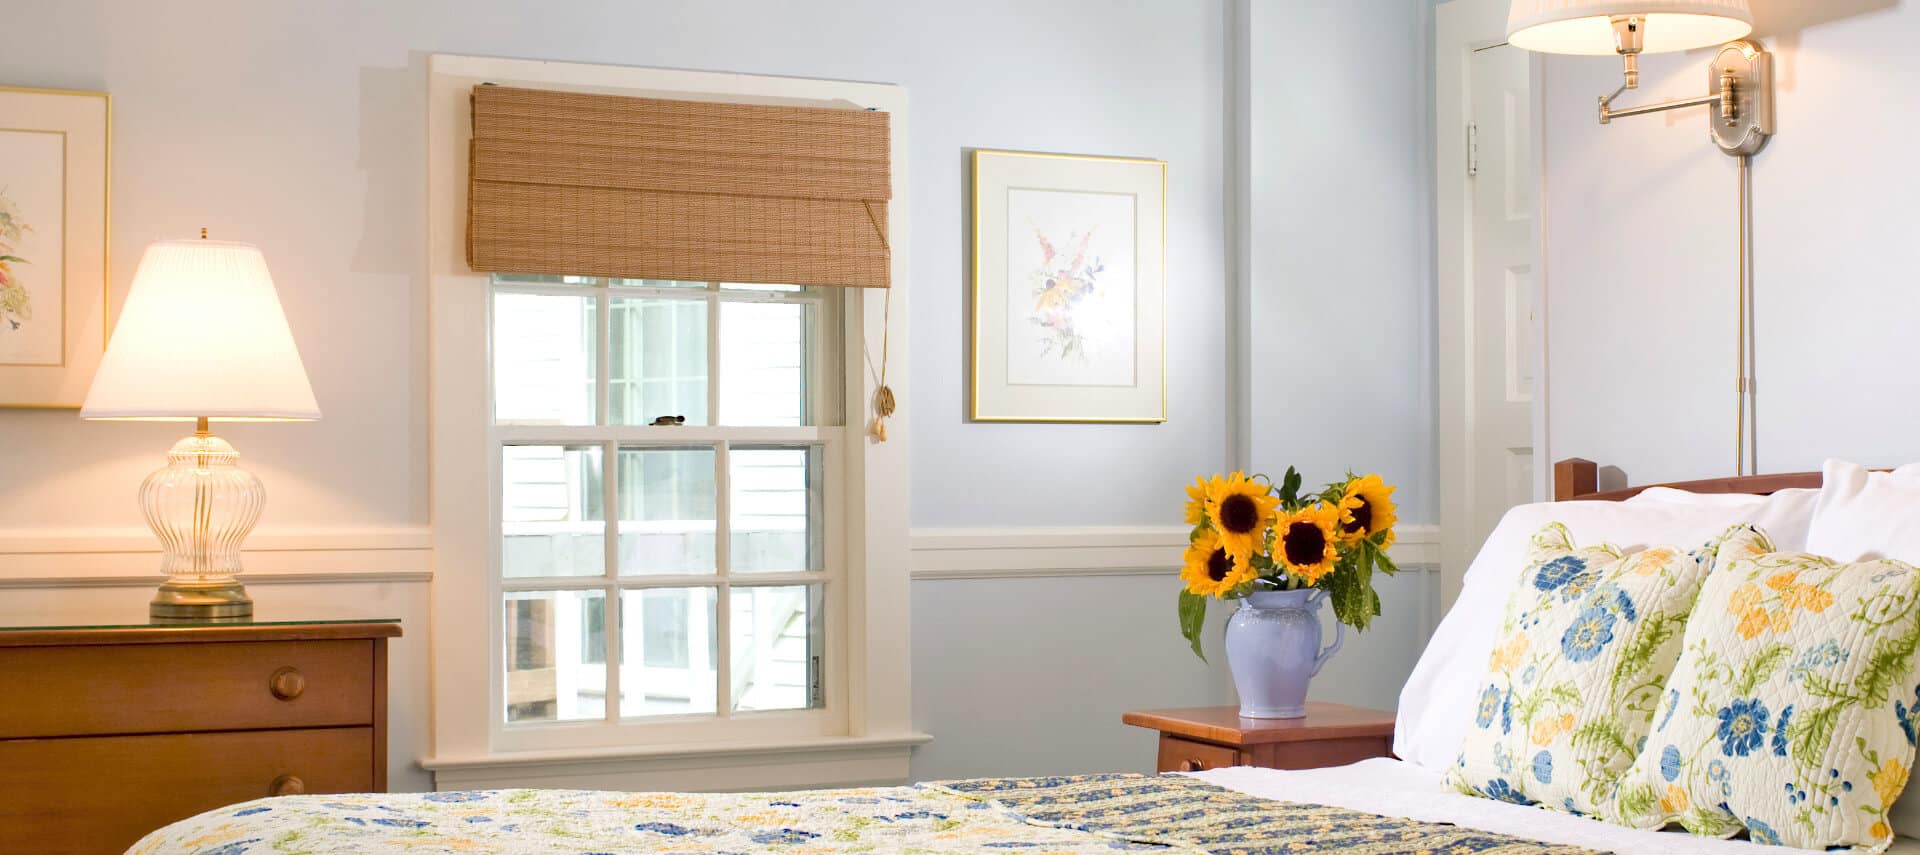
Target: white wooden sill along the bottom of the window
point(723, 766)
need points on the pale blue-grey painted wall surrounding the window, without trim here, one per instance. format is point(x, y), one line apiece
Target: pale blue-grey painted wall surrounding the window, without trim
point(302, 128)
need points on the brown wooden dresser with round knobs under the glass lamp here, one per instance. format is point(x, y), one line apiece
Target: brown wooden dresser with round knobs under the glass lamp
point(108, 733)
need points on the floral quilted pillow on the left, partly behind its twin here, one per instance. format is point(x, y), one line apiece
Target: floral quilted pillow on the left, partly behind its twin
point(1577, 672)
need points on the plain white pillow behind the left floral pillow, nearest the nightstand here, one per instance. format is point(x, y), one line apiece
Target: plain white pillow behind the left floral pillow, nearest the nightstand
point(1435, 704)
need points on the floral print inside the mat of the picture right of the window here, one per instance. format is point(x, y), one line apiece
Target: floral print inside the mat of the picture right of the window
point(1070, 297)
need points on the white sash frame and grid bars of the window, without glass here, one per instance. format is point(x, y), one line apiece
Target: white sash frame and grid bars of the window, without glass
point(825, 441)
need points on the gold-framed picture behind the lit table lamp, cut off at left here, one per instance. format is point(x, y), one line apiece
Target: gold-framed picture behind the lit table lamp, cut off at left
point(53, 245)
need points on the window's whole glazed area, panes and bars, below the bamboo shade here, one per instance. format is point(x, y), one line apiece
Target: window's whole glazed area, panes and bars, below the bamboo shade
point(667, 524)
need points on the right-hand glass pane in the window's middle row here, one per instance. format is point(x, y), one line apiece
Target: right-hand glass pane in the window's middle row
point(775, 510)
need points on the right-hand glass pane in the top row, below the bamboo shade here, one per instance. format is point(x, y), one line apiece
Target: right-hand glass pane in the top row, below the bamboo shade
point(763, 364)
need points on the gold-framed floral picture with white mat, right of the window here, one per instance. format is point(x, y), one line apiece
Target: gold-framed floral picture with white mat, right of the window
point(1068, 289)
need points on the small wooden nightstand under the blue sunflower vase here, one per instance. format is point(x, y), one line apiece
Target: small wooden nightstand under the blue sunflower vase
point(1332, 735)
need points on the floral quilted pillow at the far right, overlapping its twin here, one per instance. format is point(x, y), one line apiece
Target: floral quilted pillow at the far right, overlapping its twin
point(1792, 712)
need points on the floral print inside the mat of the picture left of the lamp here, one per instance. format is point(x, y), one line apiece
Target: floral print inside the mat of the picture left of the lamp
point(32, 247)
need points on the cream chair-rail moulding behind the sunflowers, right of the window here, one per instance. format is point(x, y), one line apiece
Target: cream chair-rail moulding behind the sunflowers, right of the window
point(1022, 552)
